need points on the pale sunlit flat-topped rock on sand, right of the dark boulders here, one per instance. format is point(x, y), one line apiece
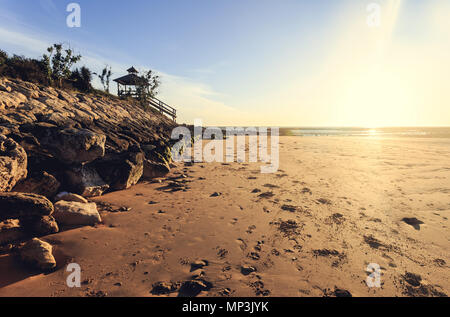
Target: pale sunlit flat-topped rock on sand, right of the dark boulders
point(74, 214)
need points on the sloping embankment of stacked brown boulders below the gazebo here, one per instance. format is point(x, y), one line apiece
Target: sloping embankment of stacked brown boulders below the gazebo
point(89, 143)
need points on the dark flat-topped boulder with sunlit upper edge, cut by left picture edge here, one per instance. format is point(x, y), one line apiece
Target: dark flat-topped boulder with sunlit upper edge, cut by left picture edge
point(23, 205)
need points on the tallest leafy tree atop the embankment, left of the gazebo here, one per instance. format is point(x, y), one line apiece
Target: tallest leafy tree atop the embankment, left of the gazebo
point(59, 62)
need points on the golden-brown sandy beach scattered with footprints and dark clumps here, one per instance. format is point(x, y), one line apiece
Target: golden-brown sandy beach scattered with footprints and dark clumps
point(335, 205)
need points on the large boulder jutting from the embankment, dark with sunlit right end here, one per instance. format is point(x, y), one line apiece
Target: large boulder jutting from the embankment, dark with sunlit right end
point(74, 145)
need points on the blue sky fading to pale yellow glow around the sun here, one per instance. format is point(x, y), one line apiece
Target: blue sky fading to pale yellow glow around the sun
point(305, 63)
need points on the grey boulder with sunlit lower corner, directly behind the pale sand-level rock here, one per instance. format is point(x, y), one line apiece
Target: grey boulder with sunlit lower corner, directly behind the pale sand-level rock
point(86, 181)
